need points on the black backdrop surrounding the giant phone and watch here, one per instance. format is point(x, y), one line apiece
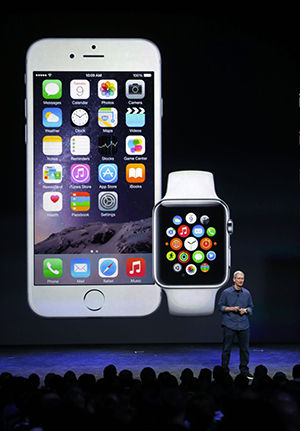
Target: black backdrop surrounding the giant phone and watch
point(231, 106)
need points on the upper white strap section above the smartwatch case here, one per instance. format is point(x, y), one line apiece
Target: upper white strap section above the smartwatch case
point(190, 185)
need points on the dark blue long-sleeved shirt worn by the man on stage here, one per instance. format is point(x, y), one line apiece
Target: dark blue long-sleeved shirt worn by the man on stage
point(231, 297)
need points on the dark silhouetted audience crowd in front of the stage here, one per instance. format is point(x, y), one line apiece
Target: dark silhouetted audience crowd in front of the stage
point(213, 401)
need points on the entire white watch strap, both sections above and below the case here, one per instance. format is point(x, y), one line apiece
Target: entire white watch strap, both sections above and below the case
point(191, 185)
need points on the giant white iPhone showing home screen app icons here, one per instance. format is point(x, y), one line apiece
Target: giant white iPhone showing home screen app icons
point(93, 175)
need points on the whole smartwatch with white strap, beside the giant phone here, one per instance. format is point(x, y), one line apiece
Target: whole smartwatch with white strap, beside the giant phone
point(191, 238)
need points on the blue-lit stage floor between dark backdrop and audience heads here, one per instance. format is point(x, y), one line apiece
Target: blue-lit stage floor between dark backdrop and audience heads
point(24, 360)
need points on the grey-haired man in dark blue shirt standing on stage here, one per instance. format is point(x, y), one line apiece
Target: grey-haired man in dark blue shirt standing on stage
point(236, 305)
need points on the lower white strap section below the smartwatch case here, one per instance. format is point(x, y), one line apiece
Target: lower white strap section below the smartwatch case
point(191, 302)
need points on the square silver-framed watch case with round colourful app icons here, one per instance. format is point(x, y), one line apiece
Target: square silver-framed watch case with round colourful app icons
point(190, 240)
